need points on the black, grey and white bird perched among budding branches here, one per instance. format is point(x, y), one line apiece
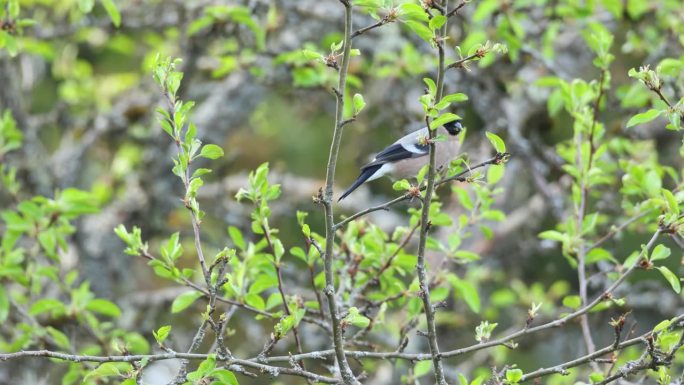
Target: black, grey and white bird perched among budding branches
point(405, 157)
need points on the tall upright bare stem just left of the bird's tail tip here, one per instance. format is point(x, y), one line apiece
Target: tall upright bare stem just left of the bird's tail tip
point(338, 343)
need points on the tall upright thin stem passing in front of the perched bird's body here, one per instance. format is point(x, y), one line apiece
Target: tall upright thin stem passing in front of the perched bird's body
point(421, 270)
